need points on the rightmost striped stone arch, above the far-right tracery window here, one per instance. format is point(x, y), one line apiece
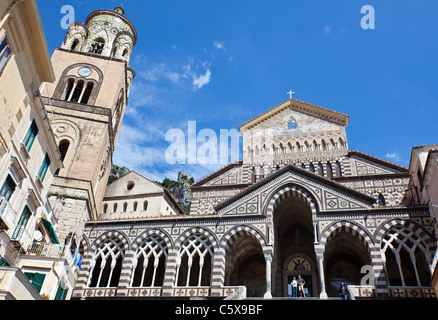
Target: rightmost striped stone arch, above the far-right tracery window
point(409, 225)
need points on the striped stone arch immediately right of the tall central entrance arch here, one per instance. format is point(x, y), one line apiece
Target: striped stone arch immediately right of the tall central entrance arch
point(346, 226)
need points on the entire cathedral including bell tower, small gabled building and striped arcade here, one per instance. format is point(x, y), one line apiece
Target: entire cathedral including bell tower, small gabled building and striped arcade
point(298, 203)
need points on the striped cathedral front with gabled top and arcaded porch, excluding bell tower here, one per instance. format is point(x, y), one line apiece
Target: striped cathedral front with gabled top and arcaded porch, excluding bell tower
point(298, 203)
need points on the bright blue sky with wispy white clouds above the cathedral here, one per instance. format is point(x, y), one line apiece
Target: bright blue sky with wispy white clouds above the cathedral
point(221, 63)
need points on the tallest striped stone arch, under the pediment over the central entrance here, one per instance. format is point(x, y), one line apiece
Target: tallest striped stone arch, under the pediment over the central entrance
point(290, 190)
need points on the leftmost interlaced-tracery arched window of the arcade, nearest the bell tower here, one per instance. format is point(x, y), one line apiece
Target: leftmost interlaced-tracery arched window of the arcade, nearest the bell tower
point(106, 265)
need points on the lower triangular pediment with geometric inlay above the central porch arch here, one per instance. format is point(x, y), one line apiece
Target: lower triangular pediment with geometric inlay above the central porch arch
point(327, 195)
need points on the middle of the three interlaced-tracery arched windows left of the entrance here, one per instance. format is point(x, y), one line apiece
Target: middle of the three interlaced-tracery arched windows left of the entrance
point(149, 263)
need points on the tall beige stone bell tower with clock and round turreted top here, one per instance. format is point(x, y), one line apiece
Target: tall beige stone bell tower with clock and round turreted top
point(86, 105)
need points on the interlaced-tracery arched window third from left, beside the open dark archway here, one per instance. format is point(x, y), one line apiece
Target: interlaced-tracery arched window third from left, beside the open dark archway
point(194, 261)
